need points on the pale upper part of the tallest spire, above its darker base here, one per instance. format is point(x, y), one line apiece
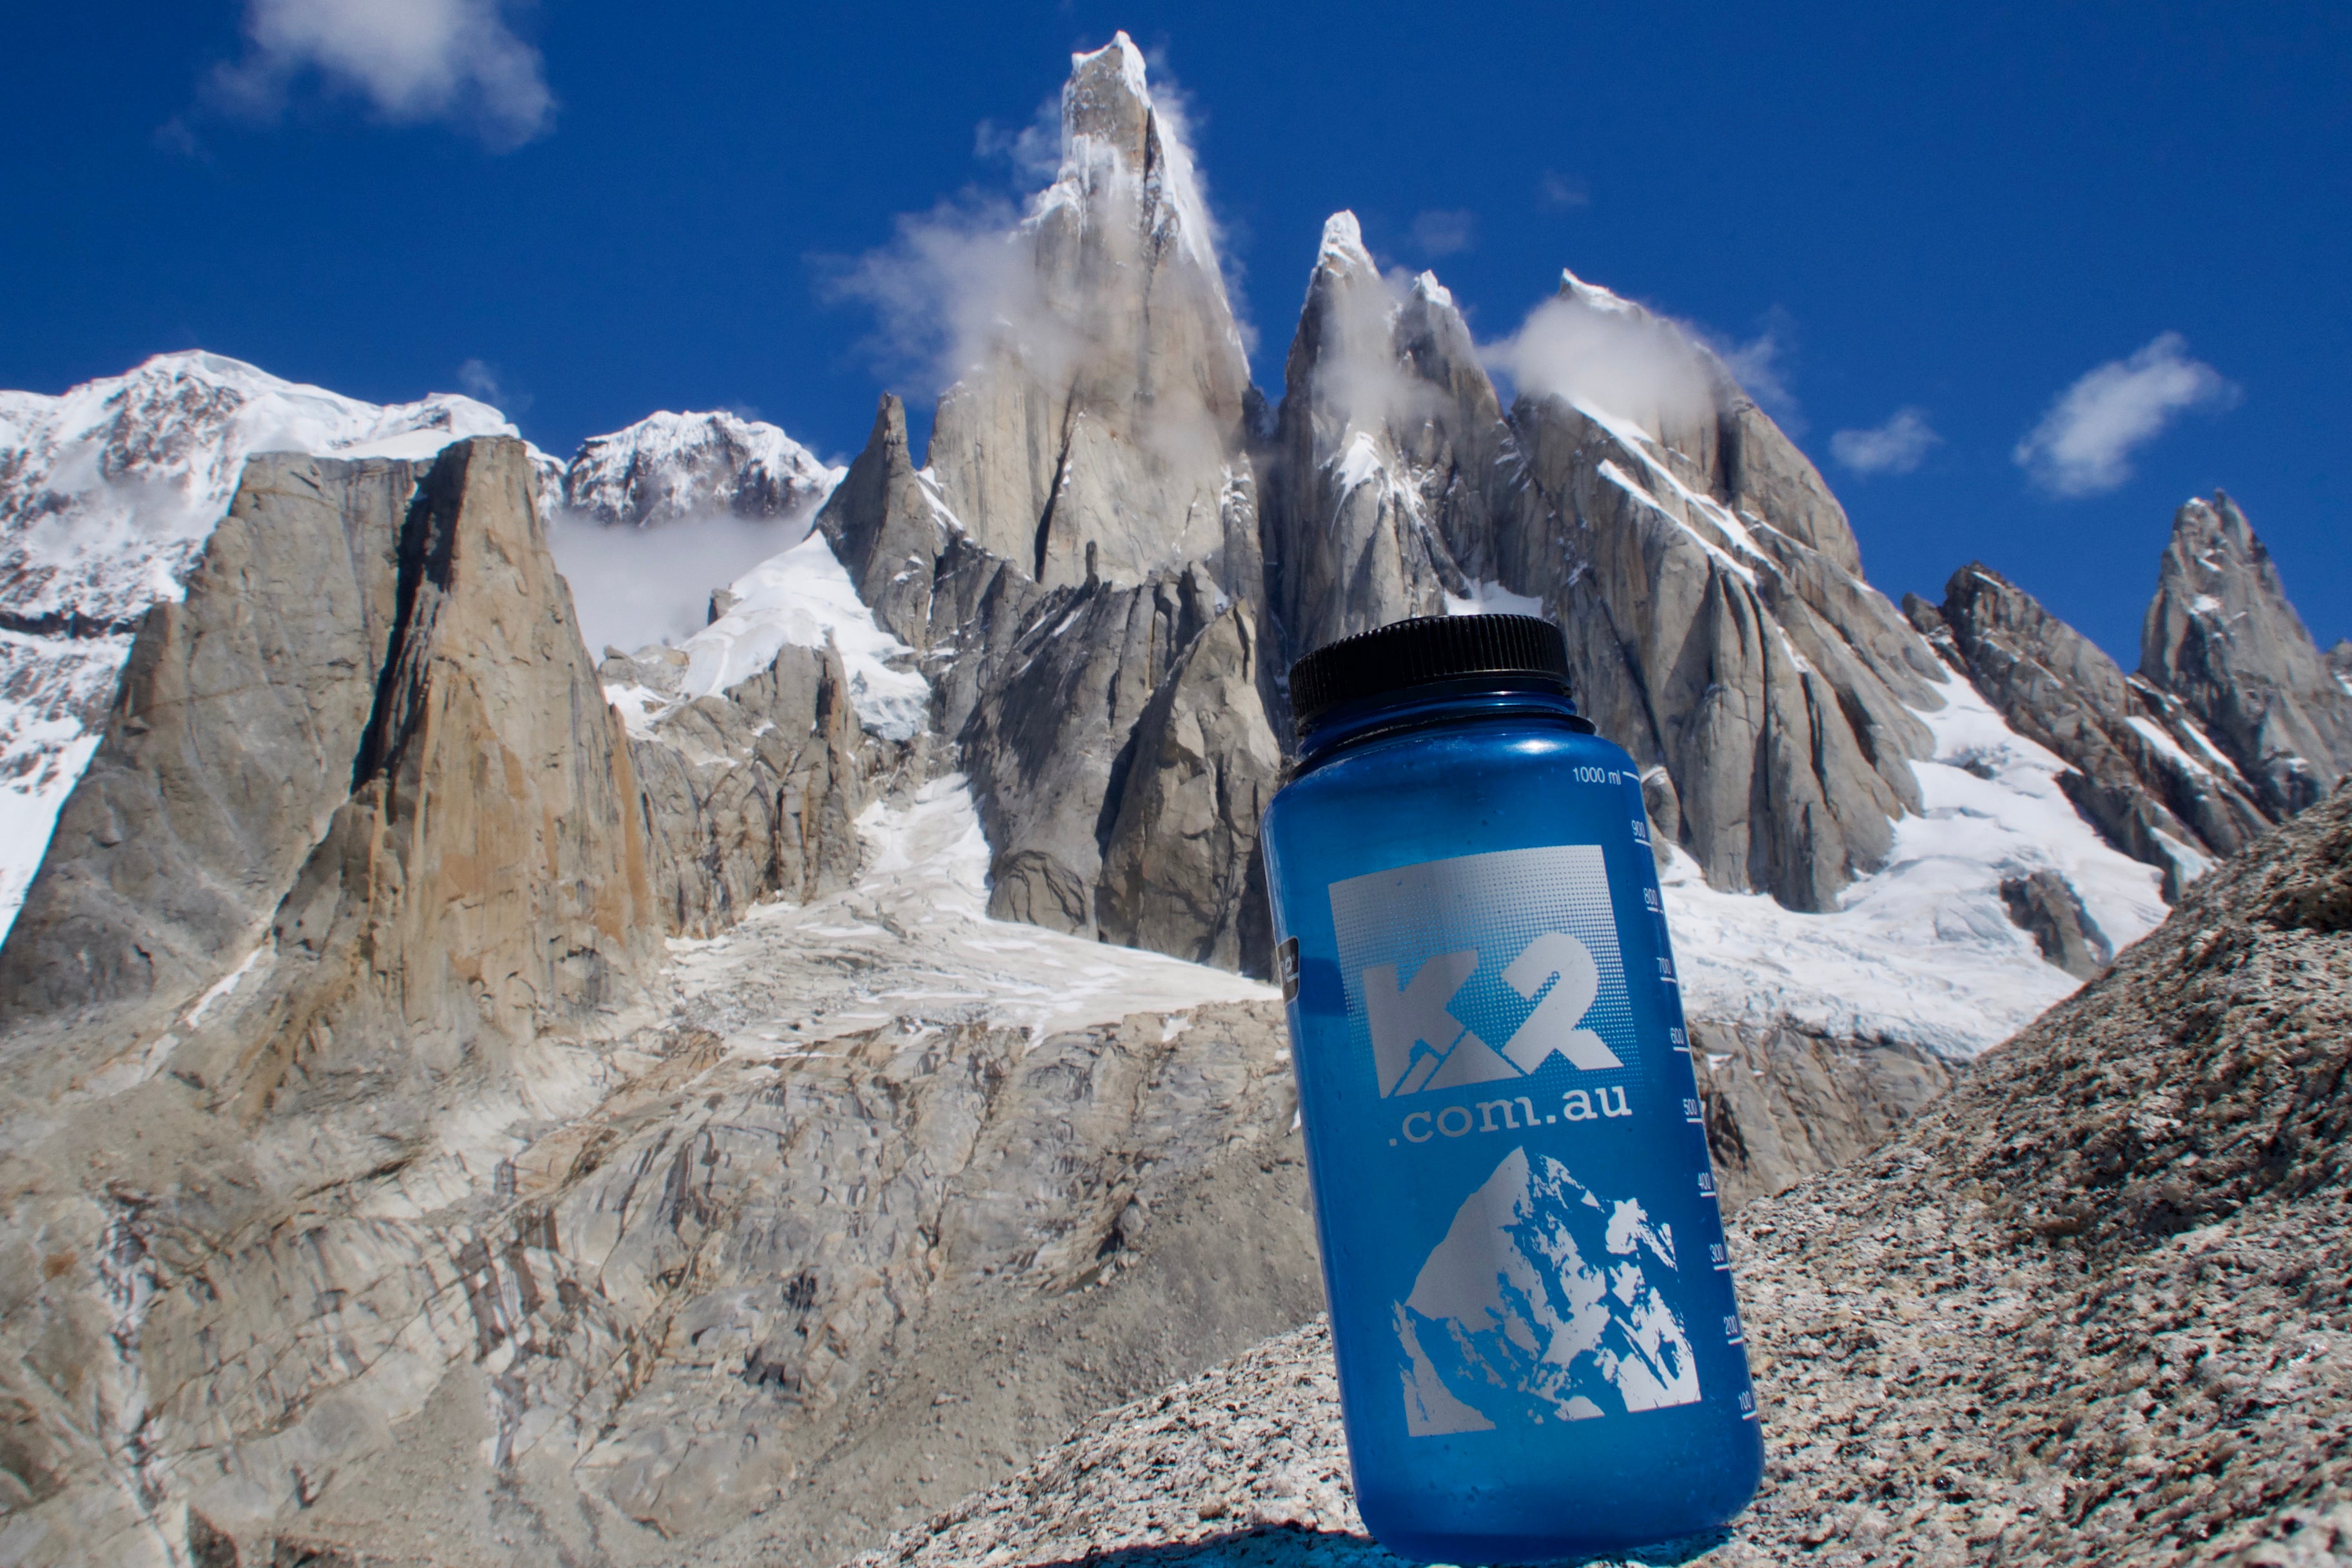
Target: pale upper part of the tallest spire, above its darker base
point(1102, 436)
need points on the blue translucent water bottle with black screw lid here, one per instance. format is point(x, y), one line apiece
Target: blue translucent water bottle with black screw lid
point(1539, 1351)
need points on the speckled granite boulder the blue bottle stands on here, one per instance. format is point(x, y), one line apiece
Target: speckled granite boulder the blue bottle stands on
point(2087, 1308)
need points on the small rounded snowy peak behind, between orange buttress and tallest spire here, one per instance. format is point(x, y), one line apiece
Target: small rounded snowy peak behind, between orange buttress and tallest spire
point(676, 467)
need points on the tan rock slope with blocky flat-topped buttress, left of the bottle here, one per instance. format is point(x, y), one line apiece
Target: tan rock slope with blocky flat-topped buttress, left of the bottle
point(413, 1167)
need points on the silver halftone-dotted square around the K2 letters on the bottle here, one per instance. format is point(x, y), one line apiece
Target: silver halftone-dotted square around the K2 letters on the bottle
point(1495, 904)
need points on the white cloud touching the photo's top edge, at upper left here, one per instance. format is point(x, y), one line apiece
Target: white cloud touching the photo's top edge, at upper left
point(413, 62)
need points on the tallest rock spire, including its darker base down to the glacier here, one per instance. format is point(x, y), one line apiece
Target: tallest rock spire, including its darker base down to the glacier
point(1081, 556)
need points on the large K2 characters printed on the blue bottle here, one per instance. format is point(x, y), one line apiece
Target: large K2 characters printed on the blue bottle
point(1419, 1045)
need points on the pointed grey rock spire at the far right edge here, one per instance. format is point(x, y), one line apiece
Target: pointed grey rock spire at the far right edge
point(2224, 638)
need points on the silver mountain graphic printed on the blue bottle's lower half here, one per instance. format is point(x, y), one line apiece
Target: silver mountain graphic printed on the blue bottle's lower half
point(1539, 1306)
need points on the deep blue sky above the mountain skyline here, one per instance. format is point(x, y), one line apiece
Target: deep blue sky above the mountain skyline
point(1958, 210)
